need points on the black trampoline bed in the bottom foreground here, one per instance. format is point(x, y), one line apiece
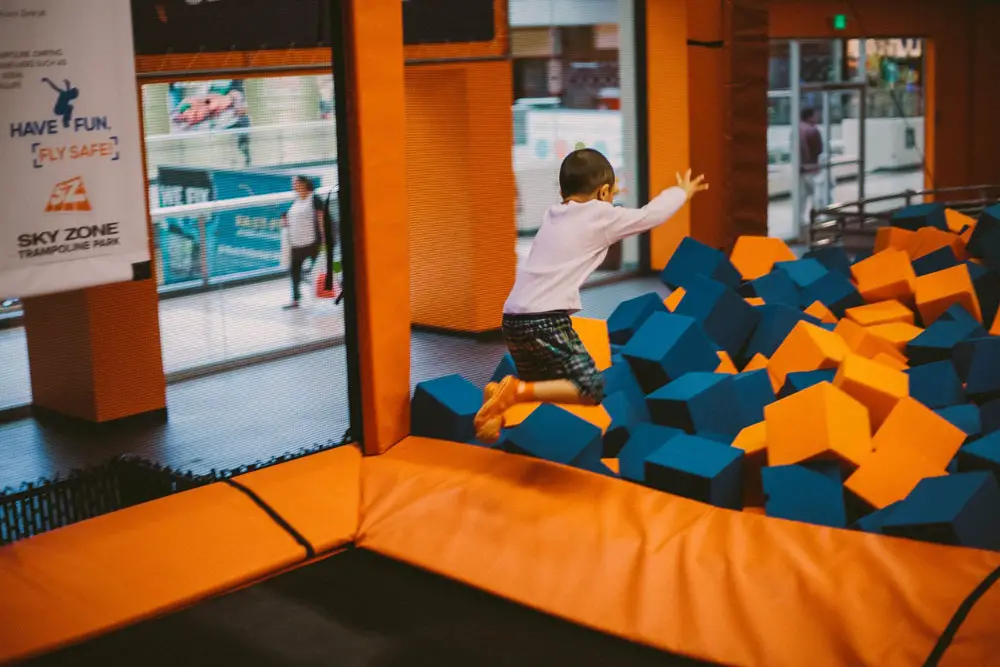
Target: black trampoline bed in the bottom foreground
point(358, 609)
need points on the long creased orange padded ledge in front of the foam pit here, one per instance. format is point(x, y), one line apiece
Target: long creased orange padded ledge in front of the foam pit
point(734, 588)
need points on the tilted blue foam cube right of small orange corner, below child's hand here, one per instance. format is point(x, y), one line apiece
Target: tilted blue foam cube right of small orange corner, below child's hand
point(722, 313)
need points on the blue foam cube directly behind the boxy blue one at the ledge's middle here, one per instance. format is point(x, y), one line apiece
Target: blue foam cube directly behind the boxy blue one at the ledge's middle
point(696, 402)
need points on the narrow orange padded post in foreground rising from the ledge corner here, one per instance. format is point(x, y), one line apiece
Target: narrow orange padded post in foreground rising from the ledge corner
point(378, 197)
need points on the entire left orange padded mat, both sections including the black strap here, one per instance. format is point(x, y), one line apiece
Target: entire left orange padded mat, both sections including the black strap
point(105, 573)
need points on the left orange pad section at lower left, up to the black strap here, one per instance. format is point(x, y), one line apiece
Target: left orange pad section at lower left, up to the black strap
point(99, 575)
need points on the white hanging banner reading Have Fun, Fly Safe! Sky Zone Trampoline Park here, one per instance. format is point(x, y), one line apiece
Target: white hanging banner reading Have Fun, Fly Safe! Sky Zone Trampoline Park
point(72, 197)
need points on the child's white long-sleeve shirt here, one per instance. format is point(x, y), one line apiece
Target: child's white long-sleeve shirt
point(572, 242)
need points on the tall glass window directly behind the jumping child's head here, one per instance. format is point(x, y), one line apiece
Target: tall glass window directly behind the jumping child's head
point(574, 86)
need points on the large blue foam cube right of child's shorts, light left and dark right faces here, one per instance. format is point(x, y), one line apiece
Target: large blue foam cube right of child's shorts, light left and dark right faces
point(666, 347)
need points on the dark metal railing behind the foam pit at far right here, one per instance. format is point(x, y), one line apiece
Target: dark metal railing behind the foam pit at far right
point(854, 224)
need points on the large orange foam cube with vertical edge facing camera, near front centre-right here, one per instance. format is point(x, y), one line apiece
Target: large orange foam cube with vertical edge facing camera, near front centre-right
point(818, 423)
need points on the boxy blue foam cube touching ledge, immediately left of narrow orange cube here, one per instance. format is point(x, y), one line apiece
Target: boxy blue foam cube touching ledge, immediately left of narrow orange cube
point(698, 468)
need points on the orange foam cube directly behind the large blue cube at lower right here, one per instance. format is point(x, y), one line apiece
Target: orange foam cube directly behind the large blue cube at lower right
point(888, 477)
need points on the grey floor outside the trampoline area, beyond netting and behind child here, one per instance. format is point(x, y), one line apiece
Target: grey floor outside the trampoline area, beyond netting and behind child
point(257, 412)
